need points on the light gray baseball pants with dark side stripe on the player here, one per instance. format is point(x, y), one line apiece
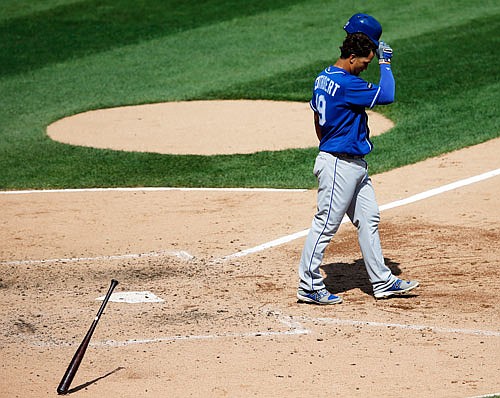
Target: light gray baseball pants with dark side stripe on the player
point(344, 187)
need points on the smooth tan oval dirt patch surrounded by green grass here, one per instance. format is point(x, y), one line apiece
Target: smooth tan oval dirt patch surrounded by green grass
point(198, 127)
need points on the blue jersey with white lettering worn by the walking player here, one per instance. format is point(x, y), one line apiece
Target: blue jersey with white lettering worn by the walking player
point(340, 100)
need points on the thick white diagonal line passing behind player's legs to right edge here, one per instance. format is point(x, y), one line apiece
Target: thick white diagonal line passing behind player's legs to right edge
point(397, 203)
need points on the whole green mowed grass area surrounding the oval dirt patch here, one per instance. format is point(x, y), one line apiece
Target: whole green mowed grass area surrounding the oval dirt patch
point(62, 57)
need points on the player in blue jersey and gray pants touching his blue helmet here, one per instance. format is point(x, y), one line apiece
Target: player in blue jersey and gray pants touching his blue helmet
point(339, 100)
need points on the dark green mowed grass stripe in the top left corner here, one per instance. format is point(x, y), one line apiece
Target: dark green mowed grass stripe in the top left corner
point(82, 28)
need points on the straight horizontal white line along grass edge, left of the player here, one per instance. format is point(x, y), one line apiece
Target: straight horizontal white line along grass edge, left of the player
point(149, 189)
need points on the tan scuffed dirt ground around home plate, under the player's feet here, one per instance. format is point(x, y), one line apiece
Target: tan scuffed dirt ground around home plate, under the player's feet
point(231, 327)
